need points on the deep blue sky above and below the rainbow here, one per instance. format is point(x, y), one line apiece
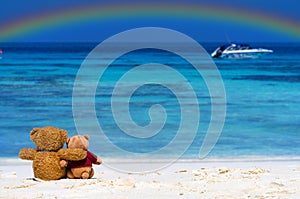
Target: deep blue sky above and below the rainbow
point(199, 29)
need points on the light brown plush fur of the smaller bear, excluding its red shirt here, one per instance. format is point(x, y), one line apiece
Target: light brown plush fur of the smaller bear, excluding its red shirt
point(84, 172)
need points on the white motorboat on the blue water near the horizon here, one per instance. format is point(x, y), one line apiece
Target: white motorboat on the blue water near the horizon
point(239, 51)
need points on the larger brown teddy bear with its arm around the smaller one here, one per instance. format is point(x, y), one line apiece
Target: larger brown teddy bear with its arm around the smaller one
point(49, 159)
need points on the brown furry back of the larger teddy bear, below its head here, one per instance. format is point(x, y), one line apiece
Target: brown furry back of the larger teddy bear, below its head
point(45, 162)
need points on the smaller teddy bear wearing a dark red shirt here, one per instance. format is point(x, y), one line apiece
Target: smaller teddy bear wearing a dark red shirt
point(83, 168)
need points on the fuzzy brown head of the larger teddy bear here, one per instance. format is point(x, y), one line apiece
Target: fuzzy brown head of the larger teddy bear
point(48, 138)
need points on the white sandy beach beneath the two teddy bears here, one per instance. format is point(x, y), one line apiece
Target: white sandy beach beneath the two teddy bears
point(220, 178)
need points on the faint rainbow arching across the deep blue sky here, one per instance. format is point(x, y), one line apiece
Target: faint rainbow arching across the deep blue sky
point(81, 14)
